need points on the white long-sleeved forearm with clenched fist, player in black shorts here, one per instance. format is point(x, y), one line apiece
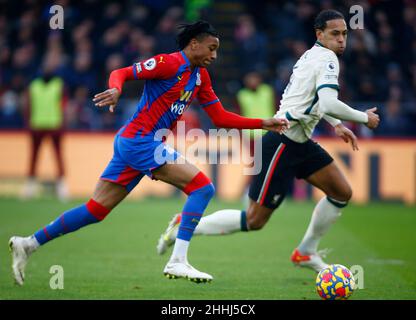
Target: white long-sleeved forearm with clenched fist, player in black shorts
point(330, 105)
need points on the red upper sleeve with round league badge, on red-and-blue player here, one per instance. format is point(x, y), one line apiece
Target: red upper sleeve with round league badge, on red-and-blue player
point(162, 66)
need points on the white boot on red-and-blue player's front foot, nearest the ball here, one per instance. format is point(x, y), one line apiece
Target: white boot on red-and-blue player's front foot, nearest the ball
point(175, 270)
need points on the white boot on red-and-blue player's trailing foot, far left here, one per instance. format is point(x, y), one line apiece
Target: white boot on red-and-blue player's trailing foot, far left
point(21, 249)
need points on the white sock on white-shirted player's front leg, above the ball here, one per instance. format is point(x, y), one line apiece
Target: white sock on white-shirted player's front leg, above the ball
point(323, 216)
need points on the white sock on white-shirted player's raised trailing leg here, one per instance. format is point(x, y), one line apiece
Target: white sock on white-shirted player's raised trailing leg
point(220, 222)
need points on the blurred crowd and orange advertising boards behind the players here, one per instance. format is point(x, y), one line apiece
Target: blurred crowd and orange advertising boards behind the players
point(378, 69)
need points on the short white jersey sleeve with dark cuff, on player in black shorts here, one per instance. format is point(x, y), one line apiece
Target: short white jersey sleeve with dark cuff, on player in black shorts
point(327, 72)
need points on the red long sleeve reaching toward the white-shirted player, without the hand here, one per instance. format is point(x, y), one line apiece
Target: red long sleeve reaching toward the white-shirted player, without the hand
point(225, 119)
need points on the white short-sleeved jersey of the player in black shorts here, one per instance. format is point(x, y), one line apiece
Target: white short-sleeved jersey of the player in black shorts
point(316, 69)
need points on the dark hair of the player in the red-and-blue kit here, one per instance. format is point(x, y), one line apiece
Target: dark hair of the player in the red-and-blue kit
point(198, 30)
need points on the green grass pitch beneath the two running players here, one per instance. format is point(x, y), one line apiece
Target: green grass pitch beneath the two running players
point(116, 259)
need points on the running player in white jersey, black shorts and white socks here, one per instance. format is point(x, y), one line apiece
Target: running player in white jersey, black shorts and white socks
point(311, 94)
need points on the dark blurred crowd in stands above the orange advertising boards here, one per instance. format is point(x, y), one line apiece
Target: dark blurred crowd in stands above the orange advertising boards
point(378, 68)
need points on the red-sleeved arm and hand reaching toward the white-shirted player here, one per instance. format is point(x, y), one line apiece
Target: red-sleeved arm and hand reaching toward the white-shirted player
point(225, 119)
